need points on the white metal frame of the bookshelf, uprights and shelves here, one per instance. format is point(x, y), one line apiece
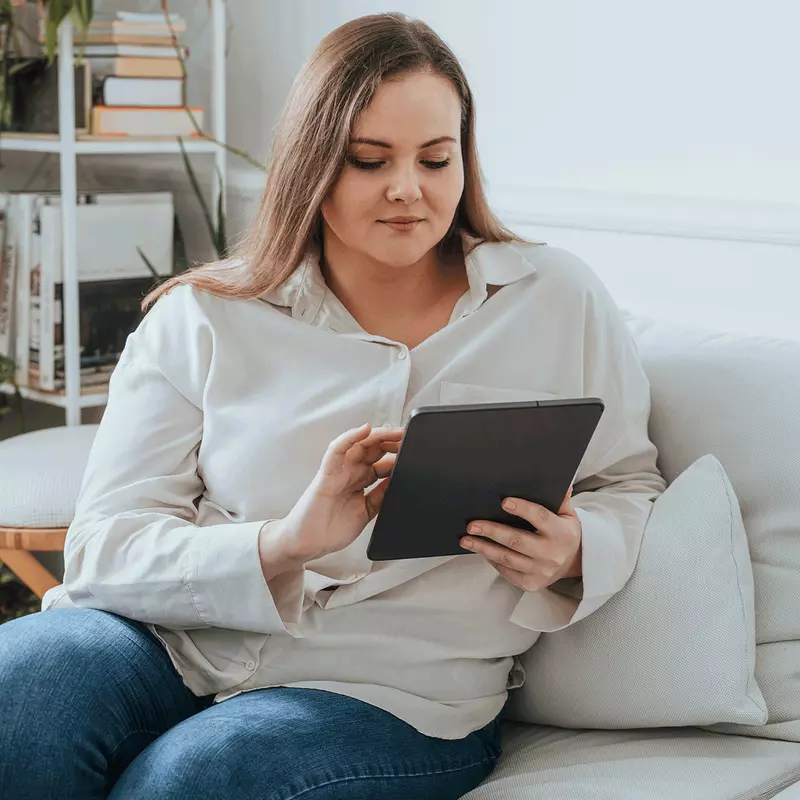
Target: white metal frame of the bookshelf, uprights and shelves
point(69, 147)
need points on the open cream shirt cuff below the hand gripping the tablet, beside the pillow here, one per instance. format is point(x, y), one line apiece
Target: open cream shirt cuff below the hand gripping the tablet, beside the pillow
point(569, 600)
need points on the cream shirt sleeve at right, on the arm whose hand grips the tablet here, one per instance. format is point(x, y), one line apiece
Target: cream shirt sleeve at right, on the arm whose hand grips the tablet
point(618, 479)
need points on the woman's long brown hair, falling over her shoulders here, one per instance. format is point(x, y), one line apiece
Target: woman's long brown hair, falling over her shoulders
point(311, 139)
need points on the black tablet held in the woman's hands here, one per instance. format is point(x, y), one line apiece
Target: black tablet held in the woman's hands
point(456, 463)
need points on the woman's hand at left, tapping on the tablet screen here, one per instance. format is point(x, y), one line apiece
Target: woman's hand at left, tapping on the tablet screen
point(334, 509)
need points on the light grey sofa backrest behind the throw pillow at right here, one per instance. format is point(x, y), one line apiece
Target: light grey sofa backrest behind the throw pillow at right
point(738, 399)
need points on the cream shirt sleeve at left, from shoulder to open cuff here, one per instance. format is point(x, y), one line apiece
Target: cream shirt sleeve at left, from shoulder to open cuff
point(133, 547)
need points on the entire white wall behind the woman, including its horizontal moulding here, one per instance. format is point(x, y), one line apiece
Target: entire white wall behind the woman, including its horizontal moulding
point(660, 142)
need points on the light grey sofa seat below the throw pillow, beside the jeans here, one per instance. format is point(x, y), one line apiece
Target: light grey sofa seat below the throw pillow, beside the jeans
point(544, 763)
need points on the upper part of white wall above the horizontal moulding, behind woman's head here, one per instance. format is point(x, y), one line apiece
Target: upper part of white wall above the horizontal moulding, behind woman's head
point(692, 97)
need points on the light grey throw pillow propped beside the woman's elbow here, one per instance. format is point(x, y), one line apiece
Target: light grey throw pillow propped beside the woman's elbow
point(676, 646)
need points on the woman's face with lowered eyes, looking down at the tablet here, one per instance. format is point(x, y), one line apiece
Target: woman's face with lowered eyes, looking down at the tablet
point(404, 160)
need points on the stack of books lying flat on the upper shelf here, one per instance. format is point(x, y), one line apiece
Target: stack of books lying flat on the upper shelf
point(138, 76)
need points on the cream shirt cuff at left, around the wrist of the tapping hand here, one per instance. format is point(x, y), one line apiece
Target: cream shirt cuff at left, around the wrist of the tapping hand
point(227, 584)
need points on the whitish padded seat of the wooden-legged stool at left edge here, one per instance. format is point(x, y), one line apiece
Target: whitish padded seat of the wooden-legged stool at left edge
point(40, 476)
